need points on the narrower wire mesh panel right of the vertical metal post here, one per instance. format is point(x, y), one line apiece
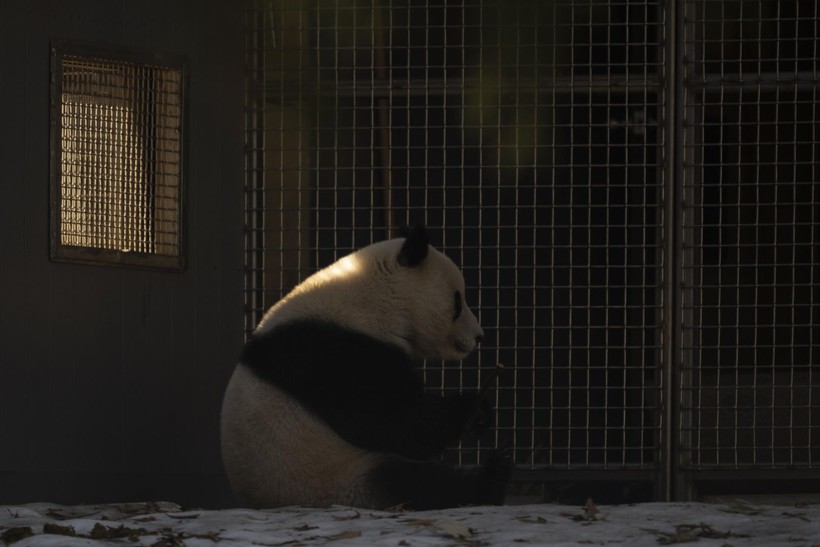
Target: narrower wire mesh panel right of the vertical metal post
point(751, 261)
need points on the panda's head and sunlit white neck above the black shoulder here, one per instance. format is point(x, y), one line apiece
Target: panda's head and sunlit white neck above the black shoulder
point(402, 291)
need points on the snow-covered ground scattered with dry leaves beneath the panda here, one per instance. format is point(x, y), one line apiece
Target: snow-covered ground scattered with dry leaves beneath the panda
point(165, 524)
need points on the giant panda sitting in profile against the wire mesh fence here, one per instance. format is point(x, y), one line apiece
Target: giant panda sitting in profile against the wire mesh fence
point(327, 406)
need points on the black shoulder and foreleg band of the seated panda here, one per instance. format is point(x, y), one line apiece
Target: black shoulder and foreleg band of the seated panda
point(368, 391)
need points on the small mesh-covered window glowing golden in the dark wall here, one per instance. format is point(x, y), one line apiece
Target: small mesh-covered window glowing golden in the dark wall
point(117, 149)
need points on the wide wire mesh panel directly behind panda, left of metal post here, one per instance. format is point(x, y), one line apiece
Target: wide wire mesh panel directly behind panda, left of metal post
point(525, 136)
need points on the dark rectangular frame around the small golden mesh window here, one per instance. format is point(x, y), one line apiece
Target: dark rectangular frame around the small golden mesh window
point(62, 252)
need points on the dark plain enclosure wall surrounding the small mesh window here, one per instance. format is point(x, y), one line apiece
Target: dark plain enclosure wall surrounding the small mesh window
point(111, 377)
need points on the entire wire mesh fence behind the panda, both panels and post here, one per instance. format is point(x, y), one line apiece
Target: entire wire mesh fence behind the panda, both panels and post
point(529, 137)
